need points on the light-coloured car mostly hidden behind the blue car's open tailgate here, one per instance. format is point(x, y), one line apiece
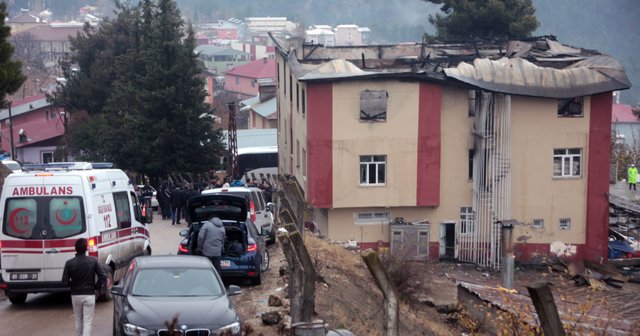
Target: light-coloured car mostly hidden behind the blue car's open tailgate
point(260, 212)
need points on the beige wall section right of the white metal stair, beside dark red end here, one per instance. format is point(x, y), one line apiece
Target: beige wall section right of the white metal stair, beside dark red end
point(536, 127)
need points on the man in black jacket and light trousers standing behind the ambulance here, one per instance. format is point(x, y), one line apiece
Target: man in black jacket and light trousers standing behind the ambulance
point(80, 275)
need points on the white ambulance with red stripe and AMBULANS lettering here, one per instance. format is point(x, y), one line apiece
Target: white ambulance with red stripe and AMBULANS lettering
point(46, 208)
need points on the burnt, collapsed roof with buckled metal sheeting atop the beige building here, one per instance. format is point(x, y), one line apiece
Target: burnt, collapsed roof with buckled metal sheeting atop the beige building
point(540, 67)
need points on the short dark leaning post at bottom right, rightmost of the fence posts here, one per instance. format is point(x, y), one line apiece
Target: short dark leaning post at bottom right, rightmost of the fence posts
point(546, 308)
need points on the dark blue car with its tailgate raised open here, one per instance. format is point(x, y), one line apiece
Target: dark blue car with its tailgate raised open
point(245, 253)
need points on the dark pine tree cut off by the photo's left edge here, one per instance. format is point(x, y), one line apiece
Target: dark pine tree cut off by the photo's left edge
point(11, 77)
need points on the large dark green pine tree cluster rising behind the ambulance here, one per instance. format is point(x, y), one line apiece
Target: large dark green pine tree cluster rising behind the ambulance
point(148, 100)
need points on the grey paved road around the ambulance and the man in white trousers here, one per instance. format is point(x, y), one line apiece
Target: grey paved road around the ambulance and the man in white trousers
point(51, 314)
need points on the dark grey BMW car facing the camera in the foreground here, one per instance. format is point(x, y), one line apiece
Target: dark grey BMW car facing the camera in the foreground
point(158, 288)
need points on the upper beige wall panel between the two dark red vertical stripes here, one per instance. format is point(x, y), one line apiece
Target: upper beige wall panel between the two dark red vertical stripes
point(396, 138)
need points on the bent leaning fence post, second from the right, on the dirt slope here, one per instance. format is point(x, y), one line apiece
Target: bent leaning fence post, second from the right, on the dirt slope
point(391, 302)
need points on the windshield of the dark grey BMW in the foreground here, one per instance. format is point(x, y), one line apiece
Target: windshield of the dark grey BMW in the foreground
point(176, 282)
